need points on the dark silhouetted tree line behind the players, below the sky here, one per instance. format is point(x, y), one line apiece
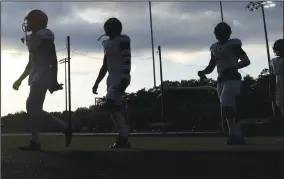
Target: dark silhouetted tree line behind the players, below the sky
point(183, 110)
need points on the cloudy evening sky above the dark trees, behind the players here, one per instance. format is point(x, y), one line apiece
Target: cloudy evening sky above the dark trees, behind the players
point(184, 30)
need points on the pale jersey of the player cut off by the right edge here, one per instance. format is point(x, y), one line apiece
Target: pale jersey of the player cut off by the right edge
point(277, 65)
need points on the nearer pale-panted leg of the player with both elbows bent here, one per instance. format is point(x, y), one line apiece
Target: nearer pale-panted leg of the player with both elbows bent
point(230, 91)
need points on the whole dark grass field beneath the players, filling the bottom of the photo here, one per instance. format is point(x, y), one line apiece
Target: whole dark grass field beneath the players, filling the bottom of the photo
point(89, 157)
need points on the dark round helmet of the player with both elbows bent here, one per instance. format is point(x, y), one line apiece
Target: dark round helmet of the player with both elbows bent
point(222, 31)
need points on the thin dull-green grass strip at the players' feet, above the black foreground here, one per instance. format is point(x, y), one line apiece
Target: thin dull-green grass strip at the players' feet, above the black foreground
point(84, 143)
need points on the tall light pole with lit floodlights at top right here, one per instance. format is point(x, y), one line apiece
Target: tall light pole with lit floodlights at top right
point(254, 6)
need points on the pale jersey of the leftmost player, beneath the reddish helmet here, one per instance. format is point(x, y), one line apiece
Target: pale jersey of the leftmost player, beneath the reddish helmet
point(40, 62)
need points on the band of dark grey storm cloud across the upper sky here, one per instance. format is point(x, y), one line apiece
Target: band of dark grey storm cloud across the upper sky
point(176, 25)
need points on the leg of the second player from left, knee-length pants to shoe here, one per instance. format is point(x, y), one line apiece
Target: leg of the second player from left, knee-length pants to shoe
point(114, 101)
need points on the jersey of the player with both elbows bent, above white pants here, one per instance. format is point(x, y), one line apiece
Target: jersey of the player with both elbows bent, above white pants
point(226, 59)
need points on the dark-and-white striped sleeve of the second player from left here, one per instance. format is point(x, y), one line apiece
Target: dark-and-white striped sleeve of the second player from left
point(125, 47)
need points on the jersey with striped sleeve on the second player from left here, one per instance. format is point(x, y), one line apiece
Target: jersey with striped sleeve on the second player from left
point(118, 56)
